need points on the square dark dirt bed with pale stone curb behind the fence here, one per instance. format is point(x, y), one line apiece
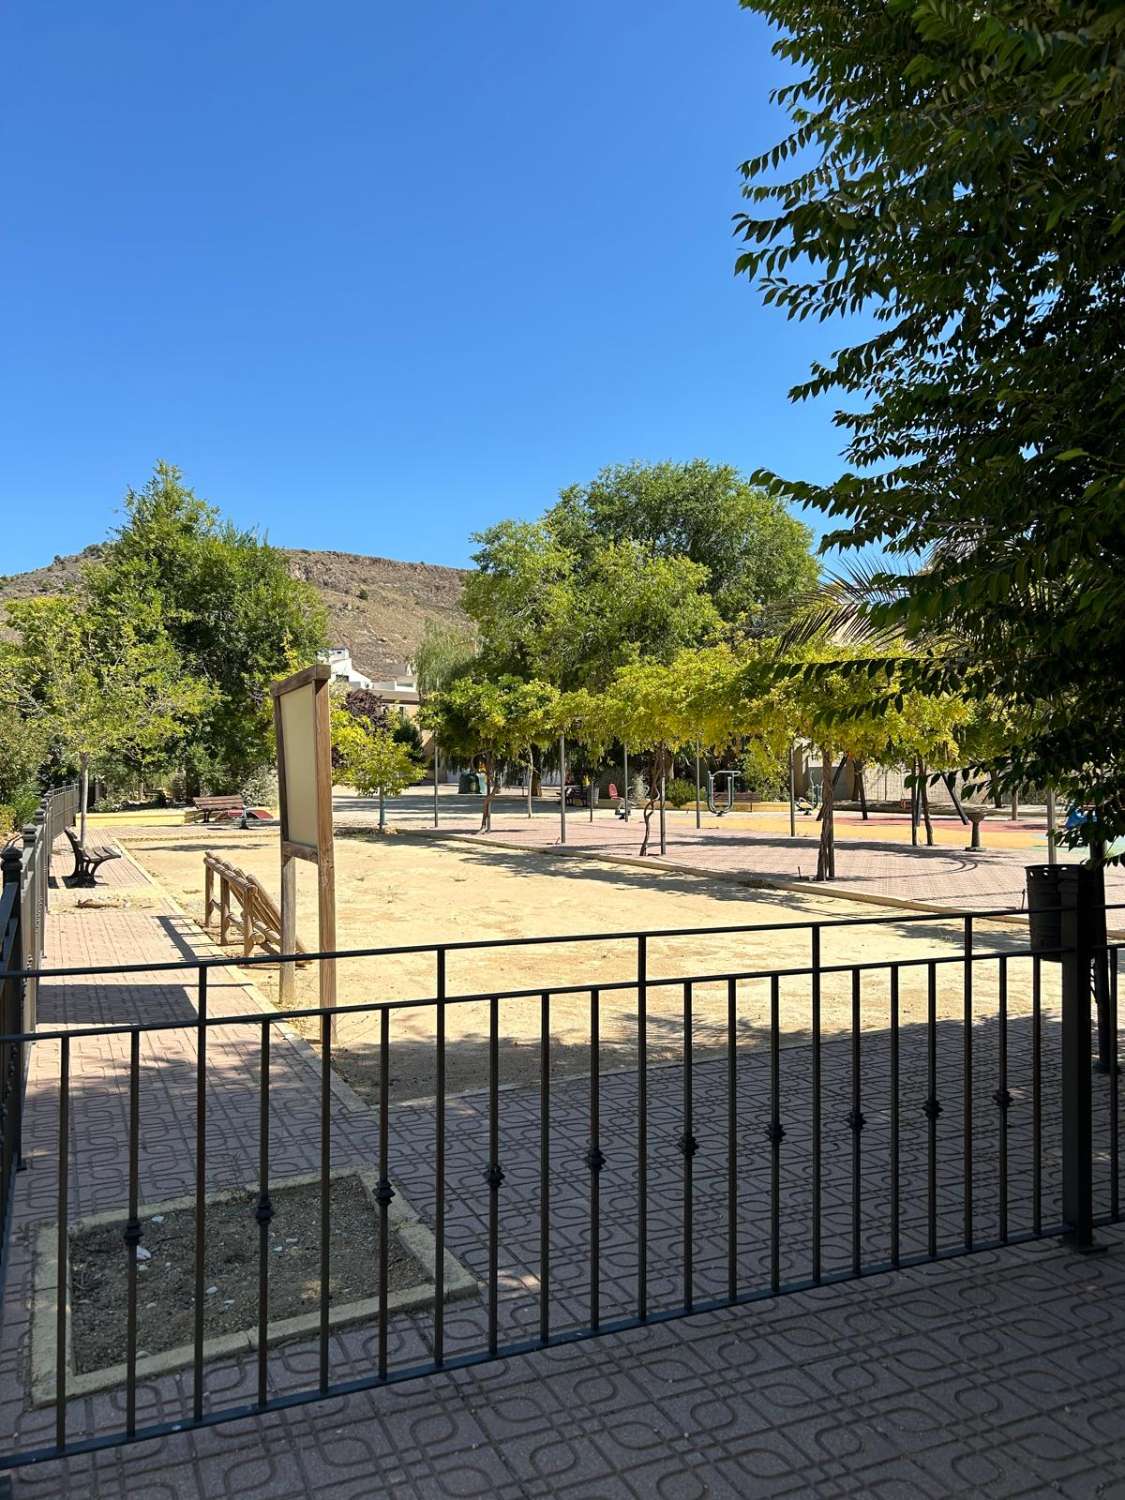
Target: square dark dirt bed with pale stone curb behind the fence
point(167, 1277)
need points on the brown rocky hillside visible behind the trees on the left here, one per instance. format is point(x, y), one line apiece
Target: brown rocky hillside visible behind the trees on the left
point(377, 607)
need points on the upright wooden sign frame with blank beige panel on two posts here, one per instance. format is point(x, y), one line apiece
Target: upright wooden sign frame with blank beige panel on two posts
point(316, 833)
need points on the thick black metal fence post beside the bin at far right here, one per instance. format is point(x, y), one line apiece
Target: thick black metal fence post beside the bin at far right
point(1076, 898)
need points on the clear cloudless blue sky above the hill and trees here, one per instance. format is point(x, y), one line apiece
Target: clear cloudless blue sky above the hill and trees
point(379, 275)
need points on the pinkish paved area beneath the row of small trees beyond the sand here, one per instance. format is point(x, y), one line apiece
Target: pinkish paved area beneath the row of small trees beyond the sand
point(751, 847)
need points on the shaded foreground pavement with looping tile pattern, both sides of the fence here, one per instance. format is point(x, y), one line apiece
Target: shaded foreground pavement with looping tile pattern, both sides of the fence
point(995, 1375)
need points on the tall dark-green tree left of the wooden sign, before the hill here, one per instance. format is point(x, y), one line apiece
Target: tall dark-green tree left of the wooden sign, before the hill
point(229, 605)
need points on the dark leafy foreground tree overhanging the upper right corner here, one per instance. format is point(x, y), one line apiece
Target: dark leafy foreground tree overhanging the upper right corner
point(959, 172)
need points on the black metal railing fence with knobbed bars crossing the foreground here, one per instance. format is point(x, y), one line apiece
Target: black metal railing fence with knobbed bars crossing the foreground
point(773, 1159)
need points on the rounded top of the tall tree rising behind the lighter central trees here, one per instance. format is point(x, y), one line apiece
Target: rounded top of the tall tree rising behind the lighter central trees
point(757, 556)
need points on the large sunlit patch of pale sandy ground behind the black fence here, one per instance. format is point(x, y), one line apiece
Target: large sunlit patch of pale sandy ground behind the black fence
point(416, 889)
